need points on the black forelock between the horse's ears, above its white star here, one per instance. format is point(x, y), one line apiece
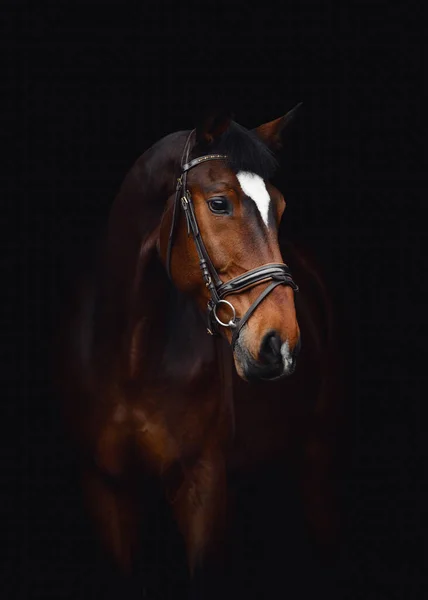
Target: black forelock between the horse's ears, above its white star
point(245, 151)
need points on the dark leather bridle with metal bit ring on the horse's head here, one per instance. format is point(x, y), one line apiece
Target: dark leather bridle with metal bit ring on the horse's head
point(277, 273)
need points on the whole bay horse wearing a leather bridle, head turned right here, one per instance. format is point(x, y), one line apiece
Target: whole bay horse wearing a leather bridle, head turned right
point(196, 354)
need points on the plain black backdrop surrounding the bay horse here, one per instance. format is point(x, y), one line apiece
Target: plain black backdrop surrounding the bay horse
point(88, 87)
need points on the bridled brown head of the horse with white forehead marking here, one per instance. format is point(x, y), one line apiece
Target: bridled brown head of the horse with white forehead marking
point(218, 240)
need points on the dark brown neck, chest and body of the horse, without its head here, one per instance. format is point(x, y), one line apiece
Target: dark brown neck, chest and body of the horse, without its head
point(144, 386)
